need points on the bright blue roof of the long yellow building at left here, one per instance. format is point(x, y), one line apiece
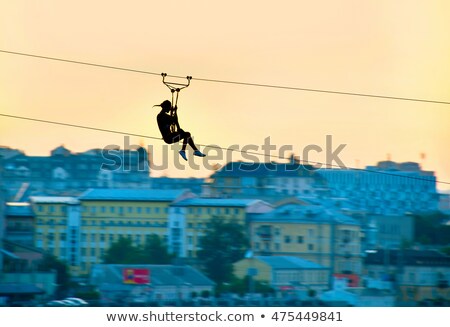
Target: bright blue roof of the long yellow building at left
point(130, 195)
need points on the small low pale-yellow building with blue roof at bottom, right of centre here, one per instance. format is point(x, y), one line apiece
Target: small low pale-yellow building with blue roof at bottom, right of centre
point(287, 275)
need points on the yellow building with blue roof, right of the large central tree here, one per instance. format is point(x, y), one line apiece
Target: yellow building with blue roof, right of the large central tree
point(310, 232)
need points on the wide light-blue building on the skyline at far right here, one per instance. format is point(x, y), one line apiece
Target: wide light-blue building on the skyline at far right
point(388, 188)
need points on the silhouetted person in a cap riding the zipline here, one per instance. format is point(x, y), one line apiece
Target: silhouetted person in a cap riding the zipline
point(170, 129)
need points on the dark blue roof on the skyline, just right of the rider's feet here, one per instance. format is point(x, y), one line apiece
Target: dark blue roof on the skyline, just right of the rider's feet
point(260, 169)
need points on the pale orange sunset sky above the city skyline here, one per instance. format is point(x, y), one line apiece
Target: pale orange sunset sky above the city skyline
point(393, 48)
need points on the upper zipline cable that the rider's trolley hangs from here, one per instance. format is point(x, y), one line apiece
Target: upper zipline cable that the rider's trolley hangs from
point(229, 82)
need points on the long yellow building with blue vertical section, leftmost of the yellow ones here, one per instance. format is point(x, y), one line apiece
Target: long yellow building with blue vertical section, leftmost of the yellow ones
point(80, 230)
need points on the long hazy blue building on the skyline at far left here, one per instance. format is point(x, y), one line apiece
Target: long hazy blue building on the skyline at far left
point(68, 173)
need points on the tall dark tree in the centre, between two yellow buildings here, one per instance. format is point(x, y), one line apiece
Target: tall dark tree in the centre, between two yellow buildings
point(223, 244)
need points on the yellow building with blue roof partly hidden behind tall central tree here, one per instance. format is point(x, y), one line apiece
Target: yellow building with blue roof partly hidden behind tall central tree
point(189, 218)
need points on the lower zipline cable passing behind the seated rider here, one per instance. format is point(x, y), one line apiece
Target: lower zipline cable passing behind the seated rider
point(308, 162)
